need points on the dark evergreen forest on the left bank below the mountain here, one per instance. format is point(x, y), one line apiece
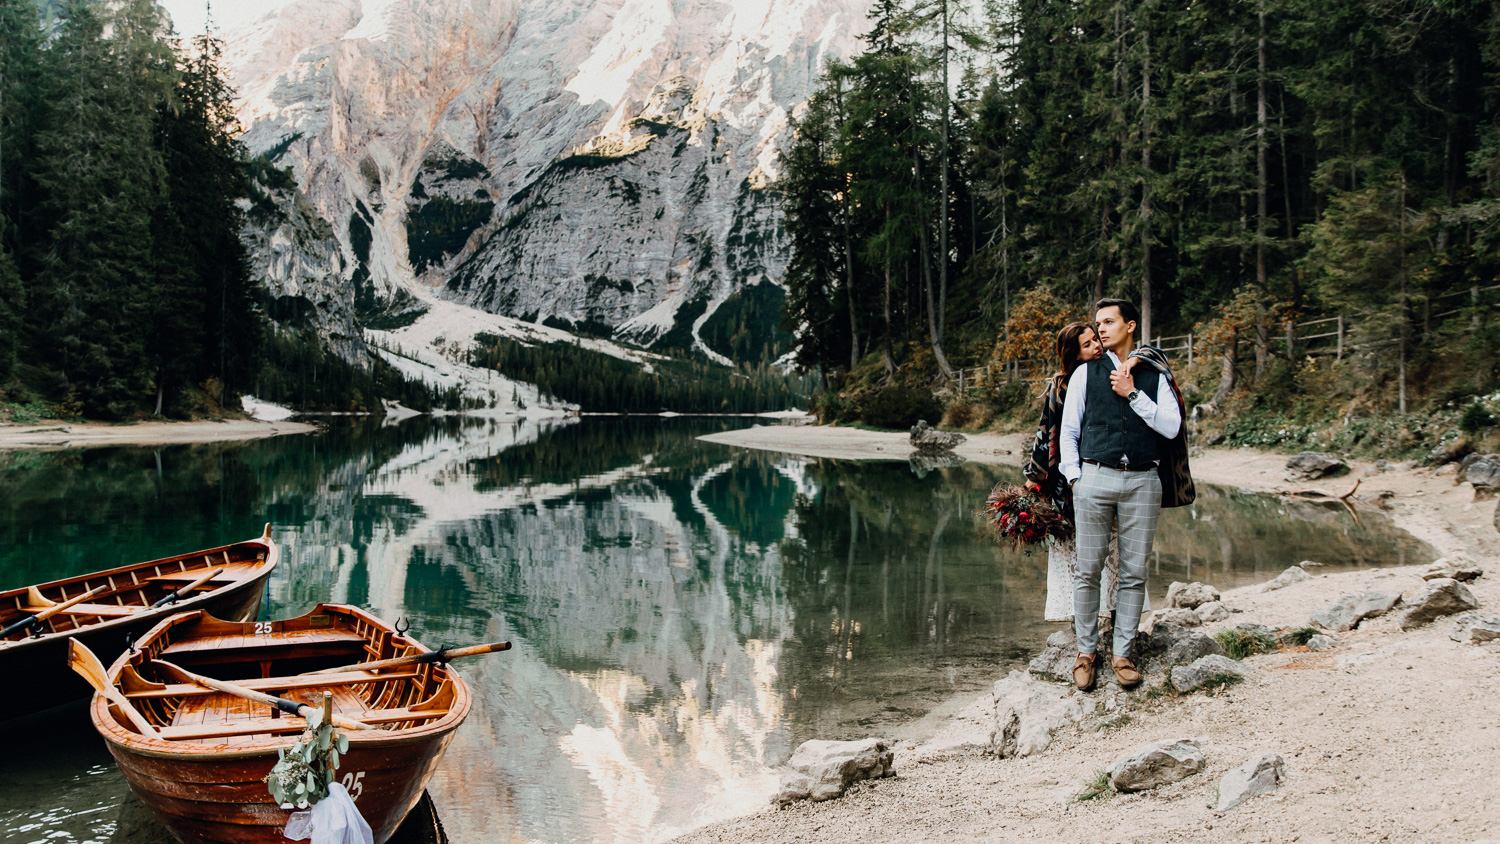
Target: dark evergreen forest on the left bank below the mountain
point(125, 286)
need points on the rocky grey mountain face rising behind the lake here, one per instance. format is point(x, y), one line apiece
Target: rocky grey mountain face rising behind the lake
point(587, 163)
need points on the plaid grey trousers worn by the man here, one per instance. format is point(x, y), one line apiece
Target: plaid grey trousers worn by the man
point(1102, 497)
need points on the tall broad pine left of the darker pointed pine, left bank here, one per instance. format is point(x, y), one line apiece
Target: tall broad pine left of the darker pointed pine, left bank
point(103, 181)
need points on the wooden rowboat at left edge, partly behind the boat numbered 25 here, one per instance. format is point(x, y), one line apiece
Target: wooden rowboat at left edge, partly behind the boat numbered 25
point(121, 603)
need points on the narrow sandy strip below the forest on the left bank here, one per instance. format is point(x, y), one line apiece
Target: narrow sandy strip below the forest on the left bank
point(88, 435)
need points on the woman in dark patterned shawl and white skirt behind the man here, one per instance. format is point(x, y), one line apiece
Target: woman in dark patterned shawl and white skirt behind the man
point(1076, 346)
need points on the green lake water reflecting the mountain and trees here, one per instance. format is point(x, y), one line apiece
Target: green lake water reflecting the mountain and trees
point(683, 614)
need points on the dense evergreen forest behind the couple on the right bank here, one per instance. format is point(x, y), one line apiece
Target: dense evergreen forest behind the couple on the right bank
point(1241, 169)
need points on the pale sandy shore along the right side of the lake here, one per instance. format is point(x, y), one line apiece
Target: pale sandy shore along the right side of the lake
point(1388, 737)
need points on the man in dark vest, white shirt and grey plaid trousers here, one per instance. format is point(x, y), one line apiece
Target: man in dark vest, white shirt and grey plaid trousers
point(1117, 426)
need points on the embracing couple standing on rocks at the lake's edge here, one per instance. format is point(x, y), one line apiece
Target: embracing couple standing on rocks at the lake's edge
point(1111, 450)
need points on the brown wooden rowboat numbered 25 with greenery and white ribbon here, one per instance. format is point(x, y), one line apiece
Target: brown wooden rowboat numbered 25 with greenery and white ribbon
point(203, 774)
